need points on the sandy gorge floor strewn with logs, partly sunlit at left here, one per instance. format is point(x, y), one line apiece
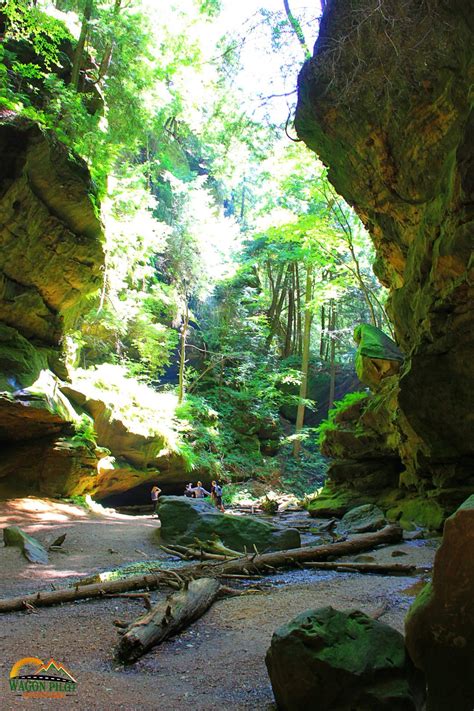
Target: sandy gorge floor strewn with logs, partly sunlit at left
point(217, 663)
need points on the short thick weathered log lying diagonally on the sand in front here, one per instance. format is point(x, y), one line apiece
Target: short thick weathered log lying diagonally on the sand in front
point(166, 619)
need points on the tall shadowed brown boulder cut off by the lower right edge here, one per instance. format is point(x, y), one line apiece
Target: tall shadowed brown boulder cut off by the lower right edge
point(440, 624)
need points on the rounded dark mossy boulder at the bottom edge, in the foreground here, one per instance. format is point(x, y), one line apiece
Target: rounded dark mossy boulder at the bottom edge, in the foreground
point(341, 661)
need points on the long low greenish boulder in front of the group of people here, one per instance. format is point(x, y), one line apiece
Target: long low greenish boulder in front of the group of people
point(184, 519)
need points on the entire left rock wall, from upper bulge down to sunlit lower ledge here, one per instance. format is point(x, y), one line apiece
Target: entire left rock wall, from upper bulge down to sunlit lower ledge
point(51, 259)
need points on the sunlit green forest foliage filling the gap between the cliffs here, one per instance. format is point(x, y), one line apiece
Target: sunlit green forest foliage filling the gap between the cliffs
point(186, 173)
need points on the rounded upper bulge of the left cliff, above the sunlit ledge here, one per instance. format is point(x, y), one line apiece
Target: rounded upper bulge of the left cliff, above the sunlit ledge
point(50, 232)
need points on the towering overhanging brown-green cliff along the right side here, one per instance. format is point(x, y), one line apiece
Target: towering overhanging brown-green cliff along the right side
point(385, 103)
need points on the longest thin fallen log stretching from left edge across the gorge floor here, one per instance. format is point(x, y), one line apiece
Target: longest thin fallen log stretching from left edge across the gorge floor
point(248, 565)
